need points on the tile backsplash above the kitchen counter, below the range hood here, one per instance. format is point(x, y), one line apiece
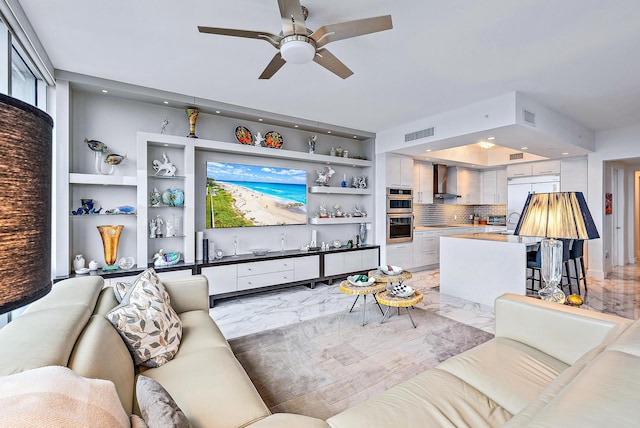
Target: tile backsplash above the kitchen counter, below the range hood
point(439, 214)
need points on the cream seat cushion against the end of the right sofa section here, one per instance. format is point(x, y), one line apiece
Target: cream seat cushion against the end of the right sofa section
point(508, 372)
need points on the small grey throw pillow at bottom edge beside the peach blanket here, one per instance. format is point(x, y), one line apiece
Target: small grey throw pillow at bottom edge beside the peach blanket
point(157, 406)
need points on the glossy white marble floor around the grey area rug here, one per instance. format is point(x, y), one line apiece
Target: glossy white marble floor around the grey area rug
point(619, 294)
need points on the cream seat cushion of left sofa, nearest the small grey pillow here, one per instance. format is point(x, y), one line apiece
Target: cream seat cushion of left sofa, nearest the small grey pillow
point(211, 388)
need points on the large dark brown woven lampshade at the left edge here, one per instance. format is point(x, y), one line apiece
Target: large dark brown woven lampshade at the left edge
point(25, 203)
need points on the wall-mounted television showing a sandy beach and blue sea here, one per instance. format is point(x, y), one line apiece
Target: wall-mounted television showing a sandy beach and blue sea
point(250, 195)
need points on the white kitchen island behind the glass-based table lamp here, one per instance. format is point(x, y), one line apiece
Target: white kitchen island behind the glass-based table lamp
point(482, 266)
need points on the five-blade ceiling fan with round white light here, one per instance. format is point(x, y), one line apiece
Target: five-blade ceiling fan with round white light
point(299, 45)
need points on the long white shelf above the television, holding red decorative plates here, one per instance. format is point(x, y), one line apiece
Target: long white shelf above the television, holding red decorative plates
point(245, 149)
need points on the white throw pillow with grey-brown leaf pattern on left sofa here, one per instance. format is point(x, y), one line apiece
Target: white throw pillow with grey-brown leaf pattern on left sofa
point(147, 322)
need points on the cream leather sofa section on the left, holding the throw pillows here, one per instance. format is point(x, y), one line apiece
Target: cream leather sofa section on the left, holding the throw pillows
point(68, 327)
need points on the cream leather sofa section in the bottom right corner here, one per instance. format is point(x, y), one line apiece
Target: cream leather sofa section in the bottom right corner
point(548, 366)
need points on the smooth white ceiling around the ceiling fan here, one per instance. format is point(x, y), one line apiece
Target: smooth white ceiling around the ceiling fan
point(578, 57)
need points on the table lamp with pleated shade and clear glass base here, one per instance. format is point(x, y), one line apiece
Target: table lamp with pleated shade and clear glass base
point(554, 216)
